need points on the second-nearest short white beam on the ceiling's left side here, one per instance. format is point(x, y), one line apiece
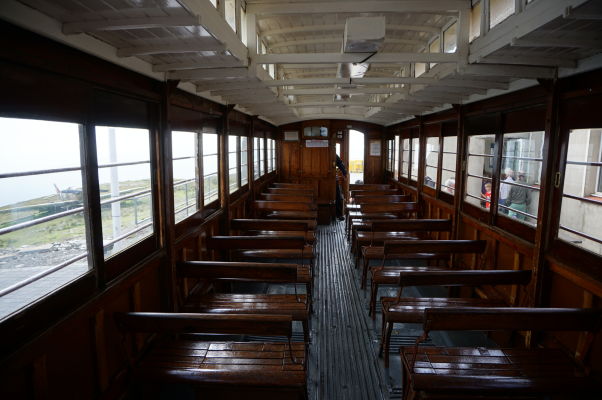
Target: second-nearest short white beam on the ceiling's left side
point(202, 43)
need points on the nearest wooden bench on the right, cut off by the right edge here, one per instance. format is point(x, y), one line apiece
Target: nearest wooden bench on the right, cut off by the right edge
point(500, 373)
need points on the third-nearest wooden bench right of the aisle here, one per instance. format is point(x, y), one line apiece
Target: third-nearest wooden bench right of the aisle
point(438, 250)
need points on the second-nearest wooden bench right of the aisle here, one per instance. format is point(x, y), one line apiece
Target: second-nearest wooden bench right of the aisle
point(411, 310)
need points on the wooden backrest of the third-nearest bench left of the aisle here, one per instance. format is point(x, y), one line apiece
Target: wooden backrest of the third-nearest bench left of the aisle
point(254, 242)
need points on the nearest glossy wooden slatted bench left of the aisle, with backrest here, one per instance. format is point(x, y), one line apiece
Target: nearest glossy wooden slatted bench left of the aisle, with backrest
point(218, 369)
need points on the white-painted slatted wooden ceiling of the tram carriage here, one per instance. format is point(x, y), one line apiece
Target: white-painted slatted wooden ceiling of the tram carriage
point(189, 41)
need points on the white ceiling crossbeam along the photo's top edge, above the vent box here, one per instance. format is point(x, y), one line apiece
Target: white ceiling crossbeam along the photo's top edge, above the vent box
point(324, 7)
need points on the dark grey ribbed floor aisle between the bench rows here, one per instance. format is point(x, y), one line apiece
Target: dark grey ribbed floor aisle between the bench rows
point(343, 354)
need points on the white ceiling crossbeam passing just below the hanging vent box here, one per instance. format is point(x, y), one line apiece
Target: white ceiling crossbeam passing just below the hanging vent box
point(320, 58)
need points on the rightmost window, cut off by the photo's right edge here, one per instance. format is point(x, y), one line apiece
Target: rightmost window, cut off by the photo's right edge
point(581, 209)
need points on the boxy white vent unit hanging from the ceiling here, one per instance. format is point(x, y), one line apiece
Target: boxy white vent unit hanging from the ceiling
point(364, 34)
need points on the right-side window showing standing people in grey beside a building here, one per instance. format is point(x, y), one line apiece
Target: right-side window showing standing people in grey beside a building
point(522, 159)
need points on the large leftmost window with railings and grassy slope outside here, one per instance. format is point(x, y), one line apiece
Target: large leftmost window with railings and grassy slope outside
point(42, 223)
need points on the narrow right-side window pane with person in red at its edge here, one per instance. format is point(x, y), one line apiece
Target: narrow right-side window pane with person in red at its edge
point(481, 151)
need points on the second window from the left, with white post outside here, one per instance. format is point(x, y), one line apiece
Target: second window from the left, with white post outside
point(124, 177)
